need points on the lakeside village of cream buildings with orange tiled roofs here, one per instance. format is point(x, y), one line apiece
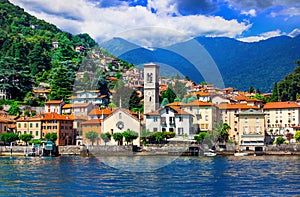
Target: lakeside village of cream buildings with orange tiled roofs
point(251, 124)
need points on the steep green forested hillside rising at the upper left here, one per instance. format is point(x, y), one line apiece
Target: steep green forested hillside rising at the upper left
point(29, 54)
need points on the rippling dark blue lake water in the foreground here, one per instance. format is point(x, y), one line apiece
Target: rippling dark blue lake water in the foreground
point(171, 176)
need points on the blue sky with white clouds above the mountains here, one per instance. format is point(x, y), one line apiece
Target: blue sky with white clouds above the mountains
point(147, 21)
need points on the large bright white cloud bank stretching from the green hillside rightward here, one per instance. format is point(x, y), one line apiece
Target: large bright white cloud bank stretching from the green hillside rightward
point(80, 16)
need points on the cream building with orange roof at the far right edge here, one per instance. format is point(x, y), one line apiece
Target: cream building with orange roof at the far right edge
point(281, 118)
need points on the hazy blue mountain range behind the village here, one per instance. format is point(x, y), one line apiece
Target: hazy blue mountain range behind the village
point(222, 61)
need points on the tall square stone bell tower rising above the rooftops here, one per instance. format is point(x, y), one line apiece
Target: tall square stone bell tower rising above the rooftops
point(151, 87)
